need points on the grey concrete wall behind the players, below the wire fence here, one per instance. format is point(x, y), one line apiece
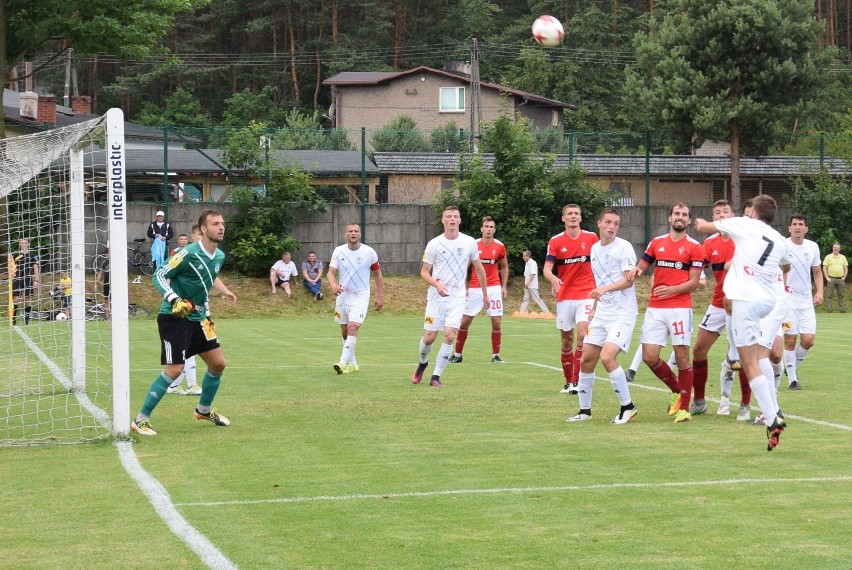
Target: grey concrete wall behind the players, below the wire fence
point(399, 233)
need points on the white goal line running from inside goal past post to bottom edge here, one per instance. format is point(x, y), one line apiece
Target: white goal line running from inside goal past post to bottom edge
point(158, 496)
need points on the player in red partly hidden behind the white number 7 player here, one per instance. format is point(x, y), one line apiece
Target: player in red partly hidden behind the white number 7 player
point(718, 253)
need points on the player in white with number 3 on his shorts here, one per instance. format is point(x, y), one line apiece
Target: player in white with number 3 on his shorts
point(613, 318)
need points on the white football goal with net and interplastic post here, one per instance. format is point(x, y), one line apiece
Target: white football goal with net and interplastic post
point(64, 353)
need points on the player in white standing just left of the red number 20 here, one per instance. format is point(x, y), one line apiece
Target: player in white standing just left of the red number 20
point(444, 268)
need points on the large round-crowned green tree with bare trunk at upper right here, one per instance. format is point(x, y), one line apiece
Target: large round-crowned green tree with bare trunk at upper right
point(737, 67)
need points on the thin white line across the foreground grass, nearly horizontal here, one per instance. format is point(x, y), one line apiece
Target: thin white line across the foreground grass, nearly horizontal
point(508, 490)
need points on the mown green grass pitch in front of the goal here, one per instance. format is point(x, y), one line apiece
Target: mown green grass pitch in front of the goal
point(369, 471)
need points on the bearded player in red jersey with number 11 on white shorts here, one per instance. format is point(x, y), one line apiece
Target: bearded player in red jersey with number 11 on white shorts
point(678, 261)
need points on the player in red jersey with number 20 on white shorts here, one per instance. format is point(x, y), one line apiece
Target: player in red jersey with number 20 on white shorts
point(492, 254)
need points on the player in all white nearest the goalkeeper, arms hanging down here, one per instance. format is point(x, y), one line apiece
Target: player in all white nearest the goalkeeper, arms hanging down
point(353, 262)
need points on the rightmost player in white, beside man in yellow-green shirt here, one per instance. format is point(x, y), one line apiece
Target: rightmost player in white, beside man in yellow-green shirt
point(805, 273)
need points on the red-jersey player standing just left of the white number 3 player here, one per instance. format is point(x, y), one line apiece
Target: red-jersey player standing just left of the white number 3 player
point(569, 252)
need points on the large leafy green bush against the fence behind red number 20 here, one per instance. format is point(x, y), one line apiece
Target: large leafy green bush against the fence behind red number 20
point(522, 191)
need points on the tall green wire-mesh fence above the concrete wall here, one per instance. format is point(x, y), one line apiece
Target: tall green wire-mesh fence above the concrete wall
point(189, 164)
